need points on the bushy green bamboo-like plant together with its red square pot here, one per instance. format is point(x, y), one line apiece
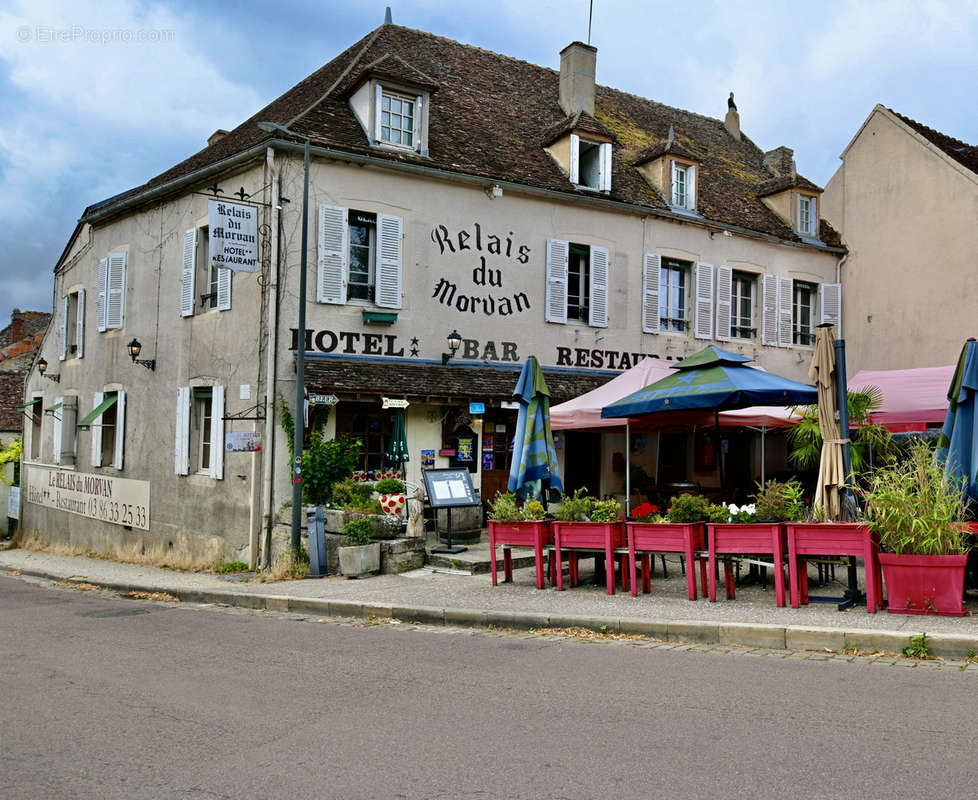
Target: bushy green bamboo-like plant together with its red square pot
point(916, 512)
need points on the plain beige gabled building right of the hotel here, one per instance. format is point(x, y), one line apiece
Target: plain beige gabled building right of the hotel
point(905, 202)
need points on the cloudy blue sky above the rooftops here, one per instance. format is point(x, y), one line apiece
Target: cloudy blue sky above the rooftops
point(97, 96)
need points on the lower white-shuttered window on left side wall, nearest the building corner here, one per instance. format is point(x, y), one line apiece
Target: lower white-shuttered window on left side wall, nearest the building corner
point(200, 431)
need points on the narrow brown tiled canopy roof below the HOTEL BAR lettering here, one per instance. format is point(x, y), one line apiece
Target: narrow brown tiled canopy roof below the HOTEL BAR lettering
point(363, 378)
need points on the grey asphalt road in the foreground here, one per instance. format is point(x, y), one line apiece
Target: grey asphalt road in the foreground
point(103, 697)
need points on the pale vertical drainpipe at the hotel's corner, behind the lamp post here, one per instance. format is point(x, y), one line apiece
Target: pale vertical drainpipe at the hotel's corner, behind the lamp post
point(268, 462)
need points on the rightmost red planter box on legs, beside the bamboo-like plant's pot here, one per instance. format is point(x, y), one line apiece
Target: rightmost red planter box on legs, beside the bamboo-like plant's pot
point(832, 539)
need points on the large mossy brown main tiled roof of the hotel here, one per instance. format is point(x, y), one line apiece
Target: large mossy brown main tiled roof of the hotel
point(488, 119)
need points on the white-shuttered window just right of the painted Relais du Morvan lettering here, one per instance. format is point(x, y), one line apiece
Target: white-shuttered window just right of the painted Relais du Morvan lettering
point(577, 283)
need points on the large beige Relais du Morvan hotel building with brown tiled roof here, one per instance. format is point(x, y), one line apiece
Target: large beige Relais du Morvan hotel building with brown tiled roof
point(451, 189)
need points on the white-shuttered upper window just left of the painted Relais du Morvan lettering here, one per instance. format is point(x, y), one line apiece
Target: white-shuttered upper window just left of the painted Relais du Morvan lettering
point(359, 257)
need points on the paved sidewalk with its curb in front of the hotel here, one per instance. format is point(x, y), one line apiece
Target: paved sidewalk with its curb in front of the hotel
point(751, 620)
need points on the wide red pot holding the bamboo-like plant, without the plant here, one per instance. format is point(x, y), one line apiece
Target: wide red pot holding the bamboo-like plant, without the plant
point(924, 584)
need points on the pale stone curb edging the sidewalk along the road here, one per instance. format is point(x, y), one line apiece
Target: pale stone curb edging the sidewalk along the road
point(744, 634)
